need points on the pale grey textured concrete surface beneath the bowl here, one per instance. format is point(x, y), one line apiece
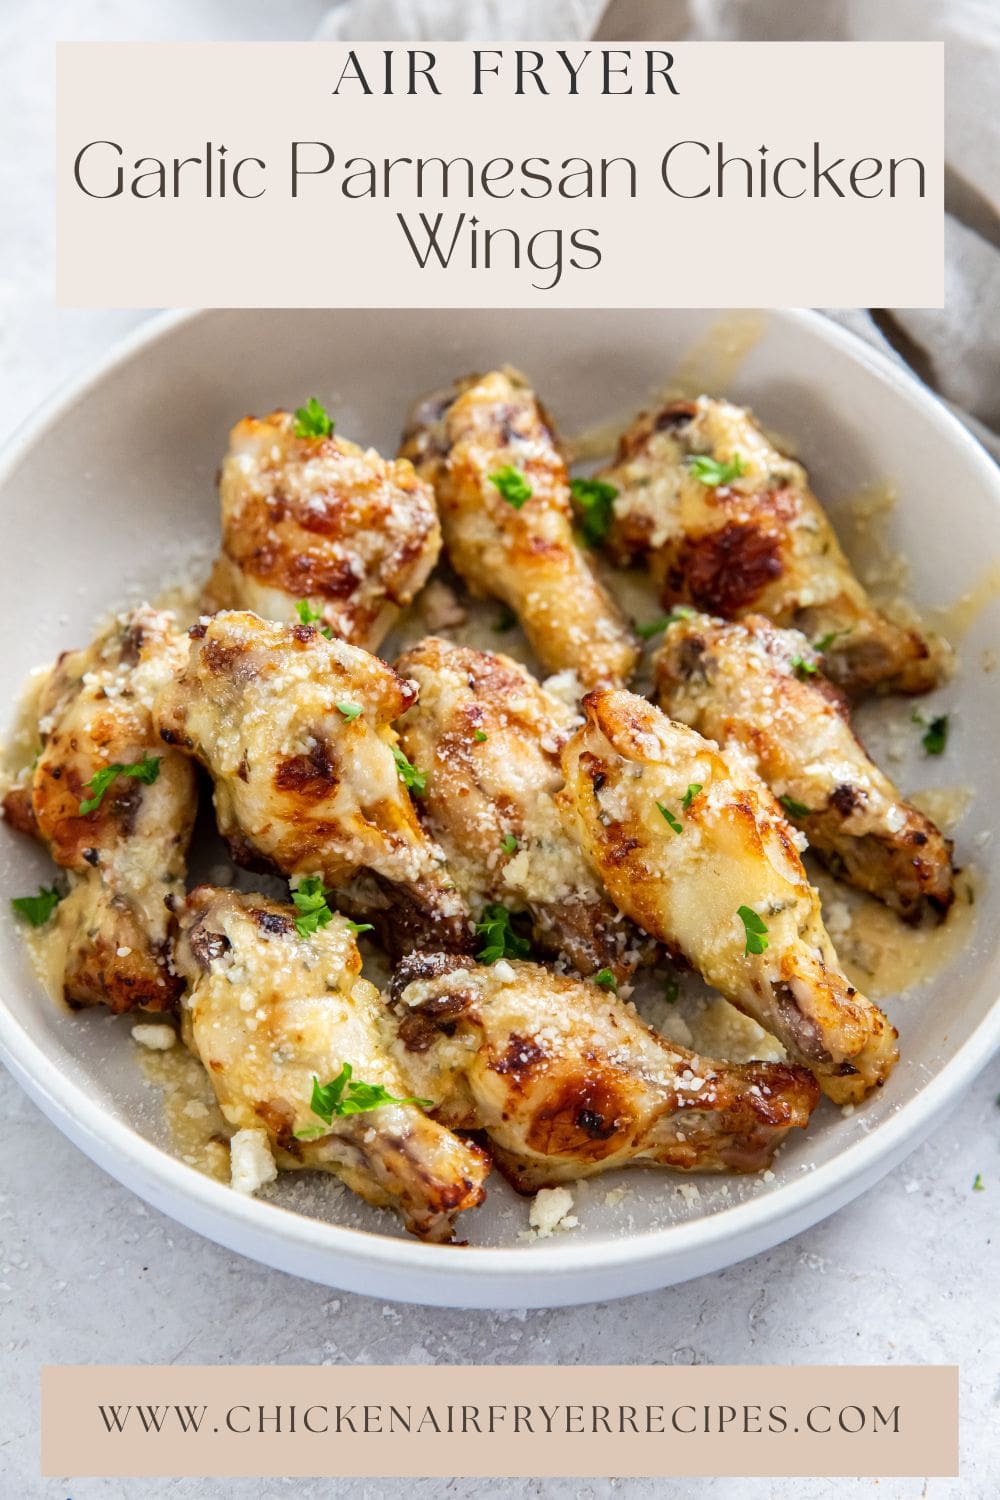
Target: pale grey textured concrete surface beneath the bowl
point(89, 1274)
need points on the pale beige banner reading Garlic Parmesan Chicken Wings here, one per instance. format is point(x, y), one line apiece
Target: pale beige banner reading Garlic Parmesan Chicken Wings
point(632, 176)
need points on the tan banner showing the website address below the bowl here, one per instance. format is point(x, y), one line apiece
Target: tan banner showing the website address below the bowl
point(493, 1421)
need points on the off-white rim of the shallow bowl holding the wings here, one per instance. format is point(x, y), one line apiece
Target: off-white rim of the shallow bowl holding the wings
point(161, 1178)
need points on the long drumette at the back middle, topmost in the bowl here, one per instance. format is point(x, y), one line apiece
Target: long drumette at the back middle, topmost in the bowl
point(504, 502)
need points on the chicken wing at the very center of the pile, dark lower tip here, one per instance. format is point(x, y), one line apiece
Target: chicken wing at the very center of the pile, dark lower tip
point(490, 737)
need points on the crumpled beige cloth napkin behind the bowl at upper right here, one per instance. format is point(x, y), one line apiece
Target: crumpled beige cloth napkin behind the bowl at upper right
point(956, 350)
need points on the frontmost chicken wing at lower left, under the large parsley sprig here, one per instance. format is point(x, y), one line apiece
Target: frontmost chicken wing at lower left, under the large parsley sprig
point(269, 1012)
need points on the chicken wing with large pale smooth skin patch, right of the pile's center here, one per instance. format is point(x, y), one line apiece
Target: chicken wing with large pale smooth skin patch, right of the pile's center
point(699, 854)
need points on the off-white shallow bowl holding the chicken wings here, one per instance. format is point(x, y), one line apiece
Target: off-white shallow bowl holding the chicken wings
point(112, 491)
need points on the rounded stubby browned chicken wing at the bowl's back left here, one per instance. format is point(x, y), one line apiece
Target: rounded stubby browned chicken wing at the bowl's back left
point(322, 520)
